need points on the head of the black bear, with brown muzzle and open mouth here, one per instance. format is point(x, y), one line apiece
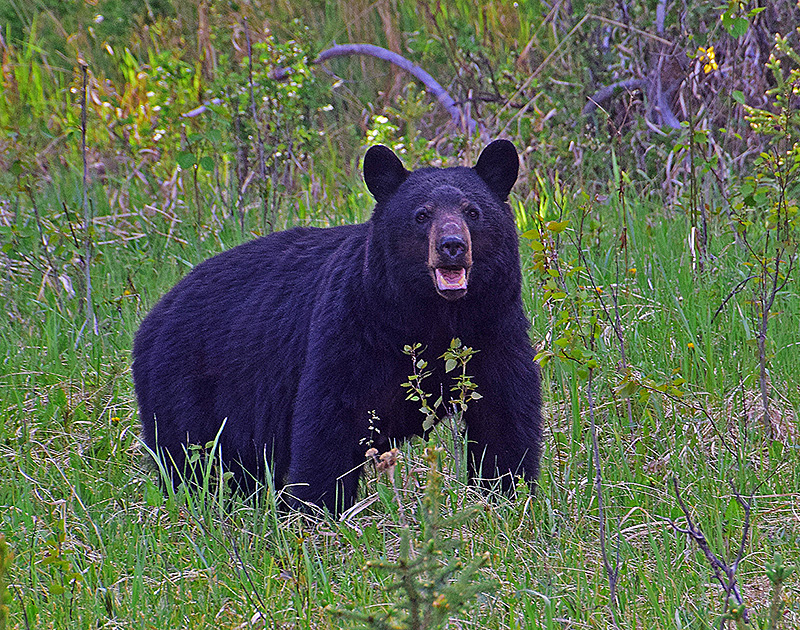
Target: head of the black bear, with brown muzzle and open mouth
point(450, 225)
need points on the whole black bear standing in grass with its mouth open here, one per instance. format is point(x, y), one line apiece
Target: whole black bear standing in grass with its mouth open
point(294, 338)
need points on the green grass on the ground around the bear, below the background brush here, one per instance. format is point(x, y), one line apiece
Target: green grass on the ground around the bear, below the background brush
point(97, 544)
